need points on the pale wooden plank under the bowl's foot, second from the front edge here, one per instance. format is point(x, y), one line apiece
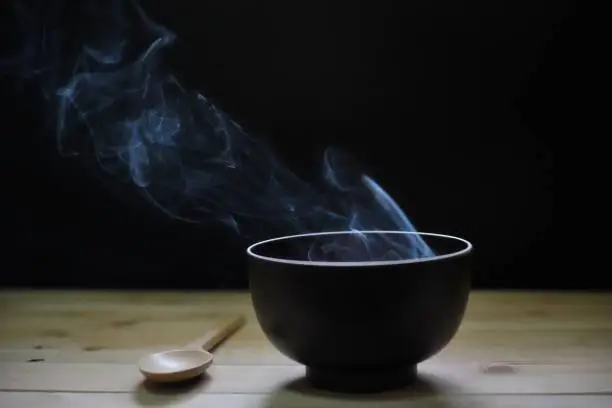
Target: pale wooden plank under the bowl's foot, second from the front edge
point(453, 378)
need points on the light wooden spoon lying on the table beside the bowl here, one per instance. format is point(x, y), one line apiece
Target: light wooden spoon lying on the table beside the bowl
point(191, 360)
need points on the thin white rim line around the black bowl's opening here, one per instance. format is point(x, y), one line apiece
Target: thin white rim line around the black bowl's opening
point(250, 250)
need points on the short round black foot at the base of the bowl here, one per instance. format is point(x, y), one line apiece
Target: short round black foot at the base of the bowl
point(361, 381)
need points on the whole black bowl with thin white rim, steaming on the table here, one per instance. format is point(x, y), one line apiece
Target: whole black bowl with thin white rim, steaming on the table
point(359, 326)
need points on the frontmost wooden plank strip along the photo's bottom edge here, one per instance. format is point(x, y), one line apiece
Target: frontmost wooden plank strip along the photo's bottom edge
point(288, 399)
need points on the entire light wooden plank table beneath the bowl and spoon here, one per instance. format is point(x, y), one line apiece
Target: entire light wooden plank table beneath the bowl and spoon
point(79, 349)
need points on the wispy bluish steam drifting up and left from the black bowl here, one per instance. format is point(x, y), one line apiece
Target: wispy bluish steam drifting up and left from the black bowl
point(187, 156)
